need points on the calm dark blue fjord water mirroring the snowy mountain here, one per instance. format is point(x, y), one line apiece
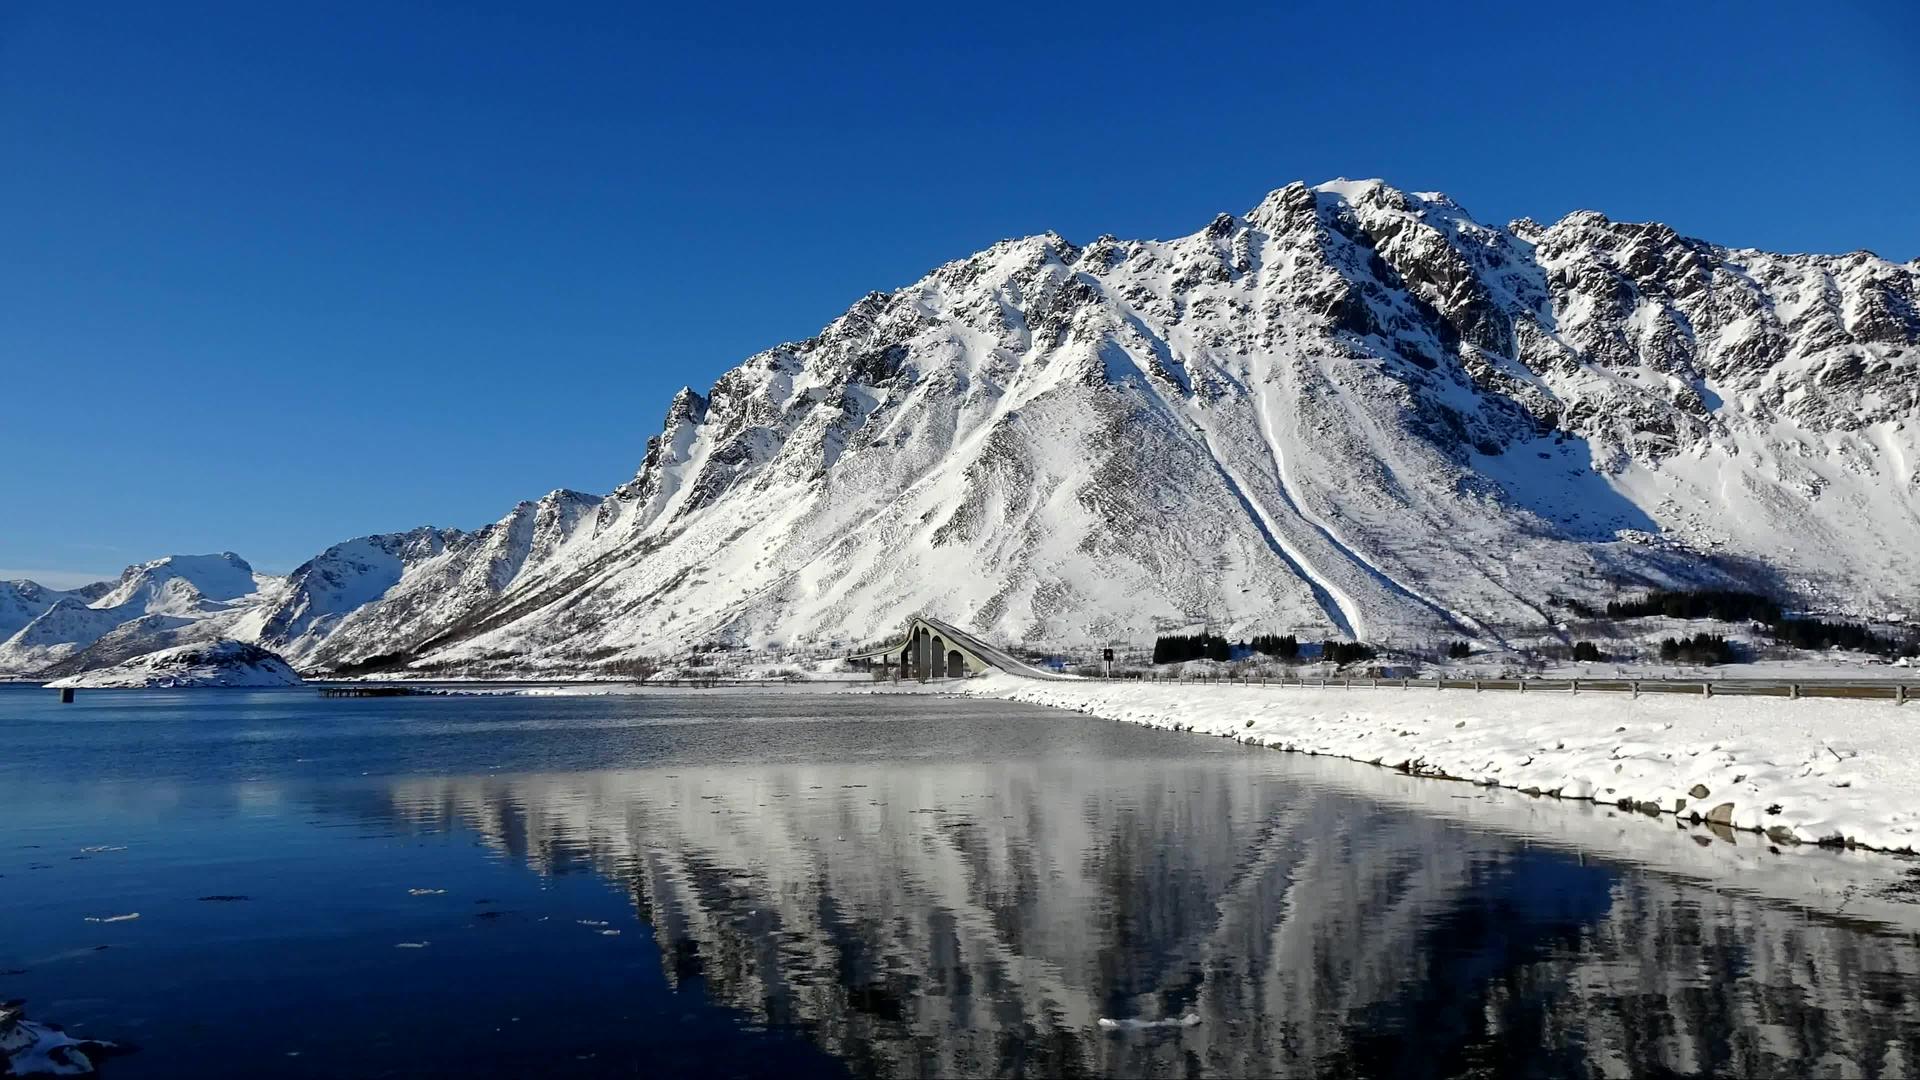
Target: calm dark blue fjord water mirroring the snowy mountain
point(827, 885)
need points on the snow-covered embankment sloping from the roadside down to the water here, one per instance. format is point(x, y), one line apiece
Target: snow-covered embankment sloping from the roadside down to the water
point(1804, 772)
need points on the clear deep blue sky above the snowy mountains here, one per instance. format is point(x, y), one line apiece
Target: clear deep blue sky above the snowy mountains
point(274, 276)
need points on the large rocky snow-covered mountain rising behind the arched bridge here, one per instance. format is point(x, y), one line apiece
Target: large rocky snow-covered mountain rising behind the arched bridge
point(1351, 412)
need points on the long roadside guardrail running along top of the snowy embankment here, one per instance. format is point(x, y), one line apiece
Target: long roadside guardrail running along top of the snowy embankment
point(1898, 693)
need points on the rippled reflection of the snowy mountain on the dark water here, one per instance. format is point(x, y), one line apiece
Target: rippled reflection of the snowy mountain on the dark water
point(934, 920)
